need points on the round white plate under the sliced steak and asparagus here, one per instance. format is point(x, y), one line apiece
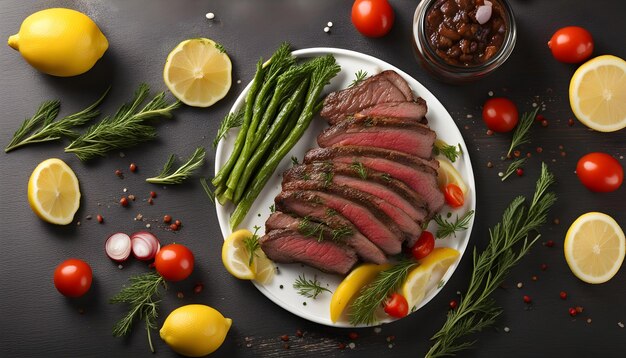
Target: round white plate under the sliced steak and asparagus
point(280, 289)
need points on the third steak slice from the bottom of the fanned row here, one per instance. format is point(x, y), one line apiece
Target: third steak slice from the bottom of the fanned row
point(362, 218)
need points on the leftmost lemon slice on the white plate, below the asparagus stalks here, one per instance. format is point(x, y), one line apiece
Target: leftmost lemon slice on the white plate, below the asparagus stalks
point(235, 256)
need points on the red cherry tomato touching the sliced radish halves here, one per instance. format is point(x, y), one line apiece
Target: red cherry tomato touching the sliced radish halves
point(174, 262)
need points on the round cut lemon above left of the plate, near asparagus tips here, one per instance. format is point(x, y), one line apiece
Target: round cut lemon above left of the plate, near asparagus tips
point(198, 72)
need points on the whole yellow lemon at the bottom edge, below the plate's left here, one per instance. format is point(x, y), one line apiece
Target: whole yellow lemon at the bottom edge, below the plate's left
point(195, 330)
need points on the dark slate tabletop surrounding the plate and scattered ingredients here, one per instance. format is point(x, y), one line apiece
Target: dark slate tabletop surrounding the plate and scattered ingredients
point(36, 321)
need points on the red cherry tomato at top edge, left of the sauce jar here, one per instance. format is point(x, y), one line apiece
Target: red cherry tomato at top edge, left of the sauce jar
point(372, 18)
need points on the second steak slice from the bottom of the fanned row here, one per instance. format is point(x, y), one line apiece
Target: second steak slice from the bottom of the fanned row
point(340, 229)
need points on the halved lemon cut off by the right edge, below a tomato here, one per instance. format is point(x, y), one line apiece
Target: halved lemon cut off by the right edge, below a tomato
point(597, 93)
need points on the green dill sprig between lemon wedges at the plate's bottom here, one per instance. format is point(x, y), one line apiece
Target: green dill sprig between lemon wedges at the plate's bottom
point(363, 309)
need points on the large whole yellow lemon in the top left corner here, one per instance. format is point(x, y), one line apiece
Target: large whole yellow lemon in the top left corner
point(60, 42)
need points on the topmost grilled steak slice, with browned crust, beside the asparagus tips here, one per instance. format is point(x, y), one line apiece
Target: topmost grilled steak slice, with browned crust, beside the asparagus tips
point(371, 91)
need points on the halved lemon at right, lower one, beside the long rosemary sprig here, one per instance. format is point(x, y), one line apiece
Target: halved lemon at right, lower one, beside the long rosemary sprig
point(594, 247)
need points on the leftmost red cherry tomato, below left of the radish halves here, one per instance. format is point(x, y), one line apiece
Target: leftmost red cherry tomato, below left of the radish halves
point(73, 277)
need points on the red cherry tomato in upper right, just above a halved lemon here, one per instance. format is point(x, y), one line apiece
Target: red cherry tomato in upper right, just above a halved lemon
point(571, 44)
